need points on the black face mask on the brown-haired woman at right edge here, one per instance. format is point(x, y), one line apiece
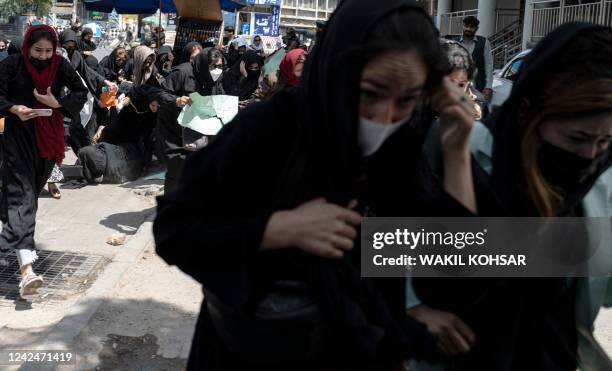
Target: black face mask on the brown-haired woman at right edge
point(565, 169)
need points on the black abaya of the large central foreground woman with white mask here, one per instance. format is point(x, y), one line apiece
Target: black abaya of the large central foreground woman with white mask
point(212, 225)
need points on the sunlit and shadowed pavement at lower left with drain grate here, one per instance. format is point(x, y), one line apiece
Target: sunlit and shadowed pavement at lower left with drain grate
point(116, 307)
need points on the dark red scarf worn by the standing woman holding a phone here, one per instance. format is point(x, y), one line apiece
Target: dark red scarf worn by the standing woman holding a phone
point(49, 130)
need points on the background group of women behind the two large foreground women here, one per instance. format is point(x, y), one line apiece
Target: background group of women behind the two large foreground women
point(52, 91)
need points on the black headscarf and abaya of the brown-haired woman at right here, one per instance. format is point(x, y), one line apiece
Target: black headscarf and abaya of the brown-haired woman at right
point(519, 323)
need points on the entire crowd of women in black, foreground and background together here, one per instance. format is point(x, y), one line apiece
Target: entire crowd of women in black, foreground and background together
point(379, 120)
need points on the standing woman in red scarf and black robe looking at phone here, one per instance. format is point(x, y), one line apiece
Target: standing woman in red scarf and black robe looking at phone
point(33, 140)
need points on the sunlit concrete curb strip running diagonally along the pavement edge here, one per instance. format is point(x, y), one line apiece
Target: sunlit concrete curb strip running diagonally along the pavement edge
point(63, 334)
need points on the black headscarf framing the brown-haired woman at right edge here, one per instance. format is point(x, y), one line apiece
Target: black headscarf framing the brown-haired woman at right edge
point(504, 123)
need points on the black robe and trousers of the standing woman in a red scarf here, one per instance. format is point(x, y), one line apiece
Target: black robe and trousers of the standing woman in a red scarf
point(24, 173)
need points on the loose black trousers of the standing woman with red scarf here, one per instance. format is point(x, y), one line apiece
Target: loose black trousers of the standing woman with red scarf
point(24, 175)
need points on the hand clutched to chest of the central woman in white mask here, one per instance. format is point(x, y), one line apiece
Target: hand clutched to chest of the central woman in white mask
point(317, 227)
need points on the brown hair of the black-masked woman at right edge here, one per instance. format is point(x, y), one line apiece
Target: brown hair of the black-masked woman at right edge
point(586, 66)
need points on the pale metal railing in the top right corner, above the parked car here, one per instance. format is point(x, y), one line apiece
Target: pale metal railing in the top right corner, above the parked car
point(548, 15)
